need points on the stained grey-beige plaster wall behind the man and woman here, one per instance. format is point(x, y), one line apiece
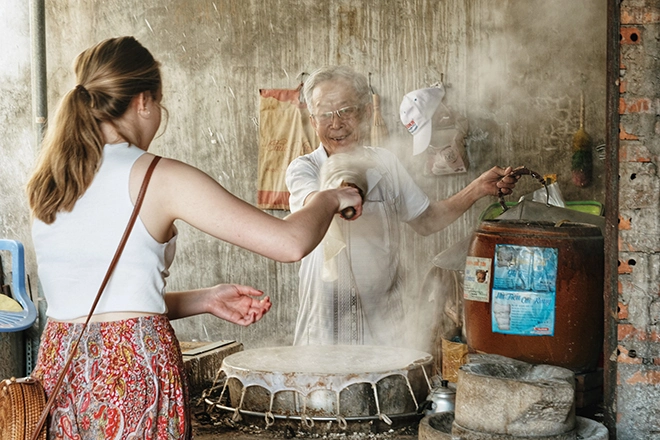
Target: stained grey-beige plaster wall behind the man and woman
point(515, 69)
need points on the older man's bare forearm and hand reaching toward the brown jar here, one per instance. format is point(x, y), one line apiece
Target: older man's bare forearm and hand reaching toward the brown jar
point(442, 213)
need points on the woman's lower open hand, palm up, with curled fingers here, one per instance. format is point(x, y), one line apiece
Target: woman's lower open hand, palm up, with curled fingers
point(237, 303)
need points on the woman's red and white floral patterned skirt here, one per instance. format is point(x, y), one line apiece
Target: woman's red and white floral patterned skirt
point(126, 380)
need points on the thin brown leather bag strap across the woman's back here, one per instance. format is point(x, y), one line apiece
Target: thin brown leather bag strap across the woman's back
point(113, 263)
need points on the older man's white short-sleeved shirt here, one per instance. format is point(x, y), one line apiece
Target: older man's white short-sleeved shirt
point(371, 256)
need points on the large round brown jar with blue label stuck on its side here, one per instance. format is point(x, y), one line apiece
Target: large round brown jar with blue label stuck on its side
point(543, 302)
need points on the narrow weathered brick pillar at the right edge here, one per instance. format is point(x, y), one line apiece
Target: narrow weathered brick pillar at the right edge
point(638, 354)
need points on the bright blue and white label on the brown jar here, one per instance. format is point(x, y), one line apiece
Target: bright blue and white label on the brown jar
point(524, 290)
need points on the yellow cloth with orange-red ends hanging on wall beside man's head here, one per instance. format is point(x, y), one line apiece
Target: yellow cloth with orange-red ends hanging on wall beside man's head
point(285, 133)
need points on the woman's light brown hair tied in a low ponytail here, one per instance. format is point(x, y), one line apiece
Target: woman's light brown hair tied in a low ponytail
point(109, 75)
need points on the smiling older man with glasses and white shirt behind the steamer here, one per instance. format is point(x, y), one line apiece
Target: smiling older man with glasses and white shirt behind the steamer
point(363, 304)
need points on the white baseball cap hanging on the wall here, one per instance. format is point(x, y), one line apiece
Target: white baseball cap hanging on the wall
point(416, 112)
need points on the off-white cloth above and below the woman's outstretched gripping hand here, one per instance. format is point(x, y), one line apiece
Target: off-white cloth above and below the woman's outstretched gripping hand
point(338, 169)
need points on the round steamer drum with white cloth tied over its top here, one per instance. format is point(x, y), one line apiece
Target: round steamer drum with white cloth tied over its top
point(328, 383)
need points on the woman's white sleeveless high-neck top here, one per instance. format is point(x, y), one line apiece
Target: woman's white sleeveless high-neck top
point(74, 252)
